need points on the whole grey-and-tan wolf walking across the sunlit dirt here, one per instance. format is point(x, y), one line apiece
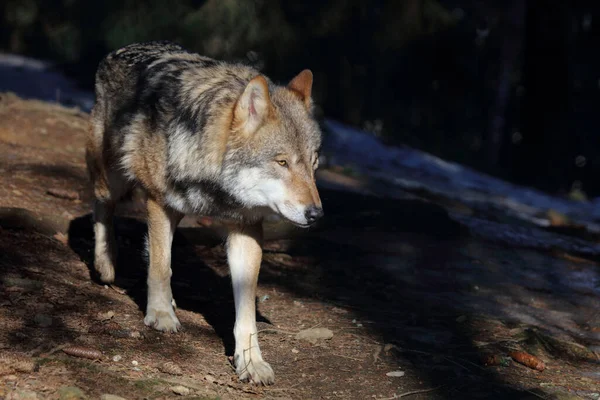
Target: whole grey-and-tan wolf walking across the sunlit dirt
point(207, 137)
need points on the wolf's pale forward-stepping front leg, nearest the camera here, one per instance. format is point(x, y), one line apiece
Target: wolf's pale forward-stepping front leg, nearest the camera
point(244, 254)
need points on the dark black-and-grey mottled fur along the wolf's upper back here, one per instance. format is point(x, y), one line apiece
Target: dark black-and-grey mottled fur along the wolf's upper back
point(162, 80)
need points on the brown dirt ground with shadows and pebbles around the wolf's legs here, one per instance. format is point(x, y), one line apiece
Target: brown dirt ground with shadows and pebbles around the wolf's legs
point(405, 289)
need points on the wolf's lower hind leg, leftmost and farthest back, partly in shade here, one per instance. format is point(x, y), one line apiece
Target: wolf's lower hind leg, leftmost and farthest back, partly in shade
point(105, 248)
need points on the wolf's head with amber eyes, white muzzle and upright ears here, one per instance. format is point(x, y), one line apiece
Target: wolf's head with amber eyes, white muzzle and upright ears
point(273, 149)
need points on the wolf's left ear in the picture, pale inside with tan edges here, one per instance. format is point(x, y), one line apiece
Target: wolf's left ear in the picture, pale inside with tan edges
point(252, 108)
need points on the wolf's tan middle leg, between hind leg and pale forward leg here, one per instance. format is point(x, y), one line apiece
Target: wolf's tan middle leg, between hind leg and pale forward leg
point(161, 226)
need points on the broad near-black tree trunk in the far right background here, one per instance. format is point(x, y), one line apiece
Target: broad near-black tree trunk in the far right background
point(544, 156)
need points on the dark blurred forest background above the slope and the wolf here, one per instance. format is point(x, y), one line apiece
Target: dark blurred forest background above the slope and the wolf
point(510, 87)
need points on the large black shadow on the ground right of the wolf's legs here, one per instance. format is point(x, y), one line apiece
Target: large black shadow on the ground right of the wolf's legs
point(393, 262)
